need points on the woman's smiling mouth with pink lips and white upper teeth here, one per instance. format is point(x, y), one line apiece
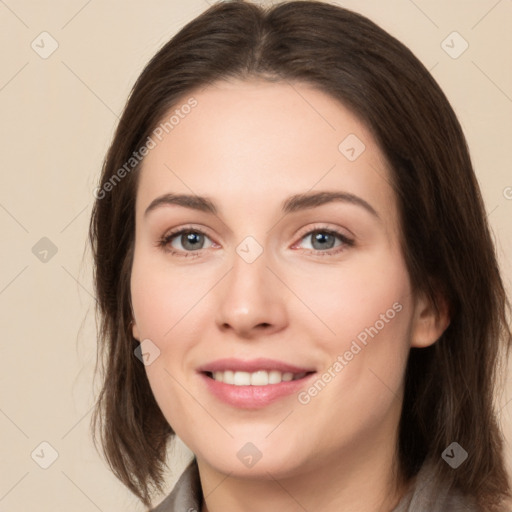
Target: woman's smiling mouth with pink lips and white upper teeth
point(253, 384)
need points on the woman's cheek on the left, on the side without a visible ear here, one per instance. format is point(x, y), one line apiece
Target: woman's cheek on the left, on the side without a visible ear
point(167, 307)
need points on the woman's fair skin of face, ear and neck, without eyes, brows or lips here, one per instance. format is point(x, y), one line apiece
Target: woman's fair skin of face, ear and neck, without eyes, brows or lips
point(248, 146)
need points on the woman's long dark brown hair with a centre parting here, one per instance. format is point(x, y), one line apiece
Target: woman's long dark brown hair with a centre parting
point(450, 386)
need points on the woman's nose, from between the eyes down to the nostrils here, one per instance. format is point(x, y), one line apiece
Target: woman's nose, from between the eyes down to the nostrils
point(251, 300)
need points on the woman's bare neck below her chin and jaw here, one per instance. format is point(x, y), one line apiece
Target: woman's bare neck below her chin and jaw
point(357, 481)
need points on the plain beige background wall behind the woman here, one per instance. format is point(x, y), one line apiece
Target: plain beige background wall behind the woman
point(58, 115)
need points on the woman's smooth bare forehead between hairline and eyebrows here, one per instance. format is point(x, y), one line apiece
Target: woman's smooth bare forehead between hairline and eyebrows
point(258, 138)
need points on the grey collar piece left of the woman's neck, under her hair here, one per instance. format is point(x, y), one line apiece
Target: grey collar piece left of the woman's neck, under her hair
point(186, 495)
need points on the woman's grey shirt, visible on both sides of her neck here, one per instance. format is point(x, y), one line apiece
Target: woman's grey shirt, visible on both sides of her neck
point(187, 496)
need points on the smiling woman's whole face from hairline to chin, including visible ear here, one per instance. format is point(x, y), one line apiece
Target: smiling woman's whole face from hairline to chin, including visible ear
point(288, 267)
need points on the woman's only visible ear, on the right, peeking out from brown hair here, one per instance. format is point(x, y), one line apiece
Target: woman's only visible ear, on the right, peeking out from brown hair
point(429, 323)
